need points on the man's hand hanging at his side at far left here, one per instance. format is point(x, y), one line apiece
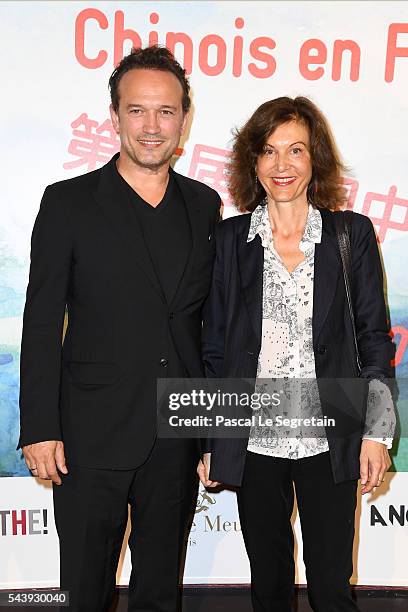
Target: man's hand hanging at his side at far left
point(43, 459)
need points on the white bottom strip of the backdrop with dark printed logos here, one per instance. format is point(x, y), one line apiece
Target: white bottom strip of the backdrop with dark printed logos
point(216, 553)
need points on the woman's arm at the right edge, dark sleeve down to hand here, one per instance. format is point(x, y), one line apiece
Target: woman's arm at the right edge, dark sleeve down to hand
point(376, 351)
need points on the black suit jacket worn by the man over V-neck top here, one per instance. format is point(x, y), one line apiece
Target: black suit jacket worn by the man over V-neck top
point(97, 392)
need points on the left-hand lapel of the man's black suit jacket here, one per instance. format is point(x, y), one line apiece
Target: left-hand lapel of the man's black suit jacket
point(114, 202)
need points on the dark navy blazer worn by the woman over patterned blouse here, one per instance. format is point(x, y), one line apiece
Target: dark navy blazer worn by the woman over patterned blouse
point(233, 327)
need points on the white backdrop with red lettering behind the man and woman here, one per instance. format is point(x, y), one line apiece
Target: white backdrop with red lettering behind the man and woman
point(56, 60)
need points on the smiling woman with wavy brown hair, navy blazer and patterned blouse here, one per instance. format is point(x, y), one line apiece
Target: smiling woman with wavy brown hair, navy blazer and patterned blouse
point(285, 304)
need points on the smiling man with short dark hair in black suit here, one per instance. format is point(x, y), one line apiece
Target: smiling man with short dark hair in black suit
point(128, 250)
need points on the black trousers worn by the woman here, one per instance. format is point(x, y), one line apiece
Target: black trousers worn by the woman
point(326, 512)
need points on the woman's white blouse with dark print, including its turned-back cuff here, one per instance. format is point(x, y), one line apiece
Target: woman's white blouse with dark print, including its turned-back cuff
point(287, 348)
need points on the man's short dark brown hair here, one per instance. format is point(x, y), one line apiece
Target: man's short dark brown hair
point(149, 58)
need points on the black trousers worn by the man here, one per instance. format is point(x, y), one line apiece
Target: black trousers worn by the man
point(91, 512)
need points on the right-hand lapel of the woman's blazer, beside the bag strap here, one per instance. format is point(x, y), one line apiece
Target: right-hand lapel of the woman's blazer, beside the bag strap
point(326, 273)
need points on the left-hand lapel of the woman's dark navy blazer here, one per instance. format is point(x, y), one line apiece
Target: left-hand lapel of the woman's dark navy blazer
point(250, 262)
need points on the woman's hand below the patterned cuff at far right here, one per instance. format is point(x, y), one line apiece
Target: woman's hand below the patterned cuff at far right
point(374, 462)
